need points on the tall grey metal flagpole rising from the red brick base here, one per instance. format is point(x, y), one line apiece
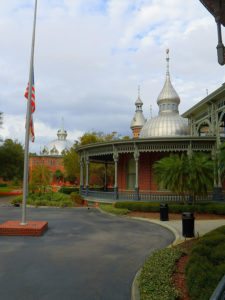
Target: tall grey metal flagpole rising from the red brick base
point(28, 116)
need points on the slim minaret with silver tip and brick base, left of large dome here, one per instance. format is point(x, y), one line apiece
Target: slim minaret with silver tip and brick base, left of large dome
point(138, 120)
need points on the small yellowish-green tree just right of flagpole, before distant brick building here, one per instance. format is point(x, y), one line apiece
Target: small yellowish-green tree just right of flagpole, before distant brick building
point(40, 178)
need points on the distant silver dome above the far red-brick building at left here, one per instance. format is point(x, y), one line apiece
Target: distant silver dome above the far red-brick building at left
point(58, 146)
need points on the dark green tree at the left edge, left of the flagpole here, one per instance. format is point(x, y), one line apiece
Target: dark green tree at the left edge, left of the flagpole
point(11, 160)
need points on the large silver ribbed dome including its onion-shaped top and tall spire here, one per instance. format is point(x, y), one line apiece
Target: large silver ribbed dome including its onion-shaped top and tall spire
point(168, 122)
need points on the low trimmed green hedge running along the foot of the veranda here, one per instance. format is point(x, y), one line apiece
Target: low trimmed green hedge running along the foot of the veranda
point(215, 208)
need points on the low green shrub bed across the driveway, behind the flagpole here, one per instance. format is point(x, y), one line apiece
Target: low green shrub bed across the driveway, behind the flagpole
point(47, 199)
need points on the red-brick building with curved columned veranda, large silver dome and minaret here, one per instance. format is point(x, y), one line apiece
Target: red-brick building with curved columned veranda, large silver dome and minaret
point(200, 129)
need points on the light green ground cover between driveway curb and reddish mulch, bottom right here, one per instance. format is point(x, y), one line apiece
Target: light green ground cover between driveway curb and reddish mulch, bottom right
point(155, 279)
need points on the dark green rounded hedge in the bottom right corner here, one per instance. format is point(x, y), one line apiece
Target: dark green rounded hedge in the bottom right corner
point(206, 265)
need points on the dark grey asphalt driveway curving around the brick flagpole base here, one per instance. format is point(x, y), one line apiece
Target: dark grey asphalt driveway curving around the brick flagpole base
point(85, 255)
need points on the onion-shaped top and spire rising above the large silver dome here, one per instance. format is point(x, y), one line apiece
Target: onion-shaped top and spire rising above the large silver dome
point(168, 100)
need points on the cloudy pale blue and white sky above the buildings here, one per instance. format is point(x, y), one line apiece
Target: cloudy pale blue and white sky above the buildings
point(91, 56)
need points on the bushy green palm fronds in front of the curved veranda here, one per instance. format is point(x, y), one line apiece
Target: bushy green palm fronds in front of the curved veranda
point(185, 175)
